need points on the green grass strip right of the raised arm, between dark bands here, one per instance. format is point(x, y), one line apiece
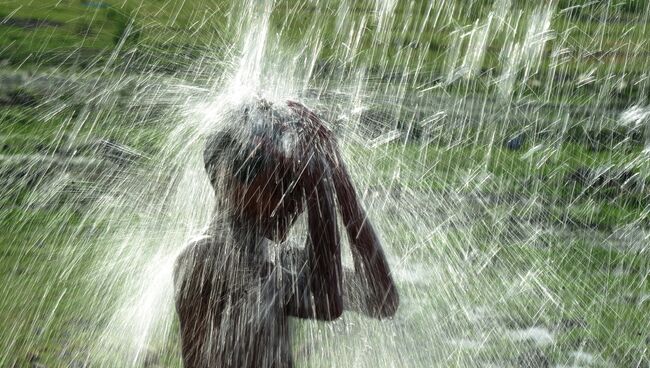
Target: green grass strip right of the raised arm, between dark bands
point(536, 170)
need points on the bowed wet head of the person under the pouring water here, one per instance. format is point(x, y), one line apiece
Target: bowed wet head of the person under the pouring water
point(256, 167)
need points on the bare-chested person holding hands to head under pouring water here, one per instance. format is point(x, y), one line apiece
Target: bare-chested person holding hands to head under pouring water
point(236, 286)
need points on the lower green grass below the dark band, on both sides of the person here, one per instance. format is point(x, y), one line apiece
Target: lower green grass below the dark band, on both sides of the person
point(599, 285)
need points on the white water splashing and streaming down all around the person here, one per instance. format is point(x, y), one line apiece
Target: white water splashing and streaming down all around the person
point(501, 150)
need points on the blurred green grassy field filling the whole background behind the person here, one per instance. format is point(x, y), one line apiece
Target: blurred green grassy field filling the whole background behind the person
point(549, 234)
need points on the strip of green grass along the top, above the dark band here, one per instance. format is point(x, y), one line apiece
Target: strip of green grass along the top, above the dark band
point(418, 36)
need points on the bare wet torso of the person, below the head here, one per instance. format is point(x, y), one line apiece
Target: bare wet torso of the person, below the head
point(231, 308)
